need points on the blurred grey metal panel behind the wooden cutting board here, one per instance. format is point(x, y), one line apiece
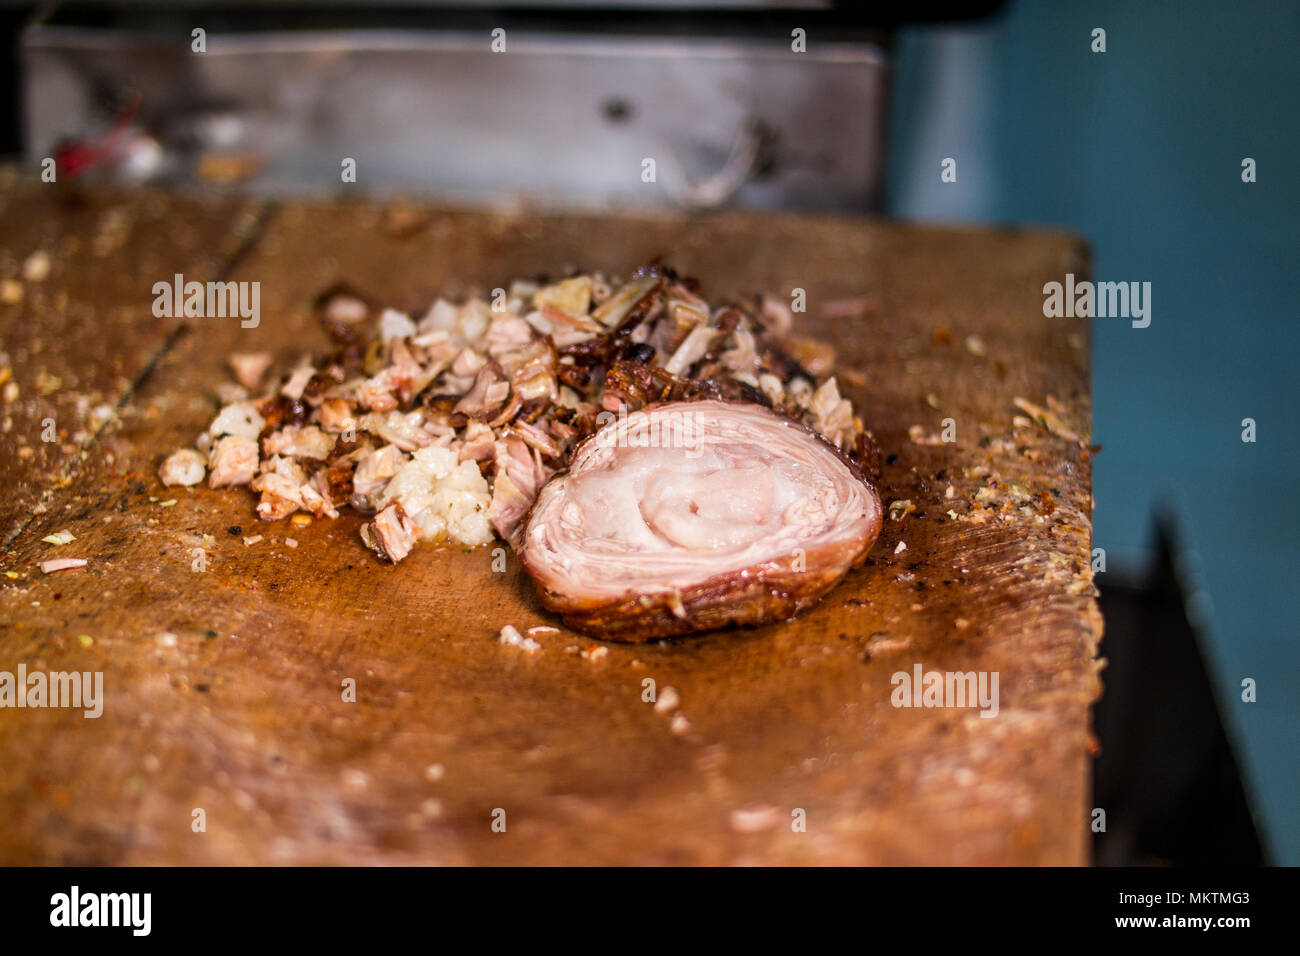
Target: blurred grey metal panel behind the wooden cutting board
point(833, 75)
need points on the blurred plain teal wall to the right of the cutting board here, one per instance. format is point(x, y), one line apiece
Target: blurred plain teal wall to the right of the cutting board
point(1139, 150)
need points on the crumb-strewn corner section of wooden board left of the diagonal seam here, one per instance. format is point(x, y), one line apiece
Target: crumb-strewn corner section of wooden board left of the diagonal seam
point(73, 334)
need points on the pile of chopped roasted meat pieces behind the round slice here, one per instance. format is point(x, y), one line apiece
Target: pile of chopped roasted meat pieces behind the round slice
point(445, 427)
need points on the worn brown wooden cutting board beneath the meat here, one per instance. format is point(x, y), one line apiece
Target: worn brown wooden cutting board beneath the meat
point(224, 689)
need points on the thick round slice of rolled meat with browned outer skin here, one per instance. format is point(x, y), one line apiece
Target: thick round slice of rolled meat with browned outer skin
point(696, 516)
